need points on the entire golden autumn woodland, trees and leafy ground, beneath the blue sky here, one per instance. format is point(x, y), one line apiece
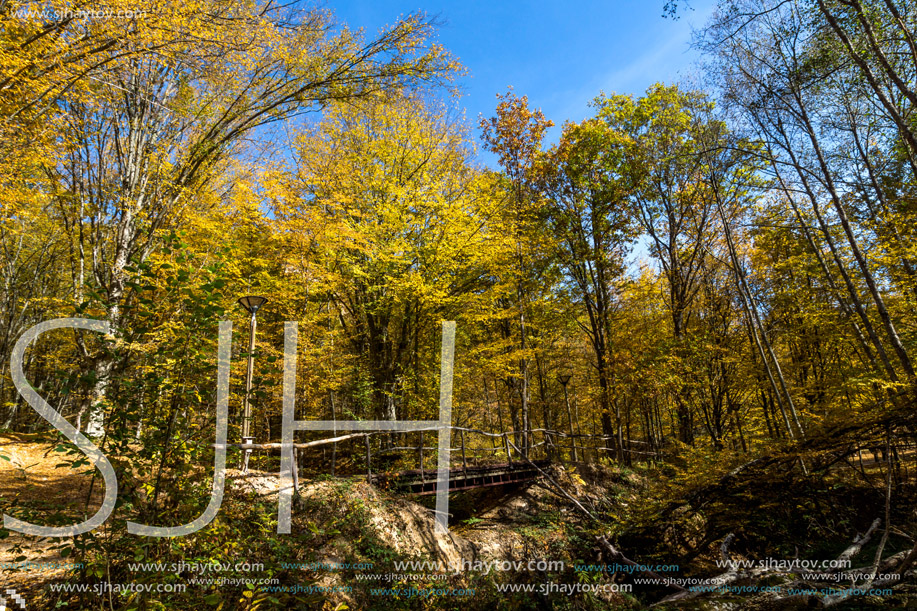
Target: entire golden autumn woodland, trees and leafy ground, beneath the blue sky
point(693, 312)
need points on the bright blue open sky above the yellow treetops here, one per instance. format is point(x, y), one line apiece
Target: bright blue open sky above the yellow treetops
point(560, 54)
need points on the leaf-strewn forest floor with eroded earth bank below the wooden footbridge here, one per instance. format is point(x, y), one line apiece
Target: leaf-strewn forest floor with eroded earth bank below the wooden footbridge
point(348, 522)
